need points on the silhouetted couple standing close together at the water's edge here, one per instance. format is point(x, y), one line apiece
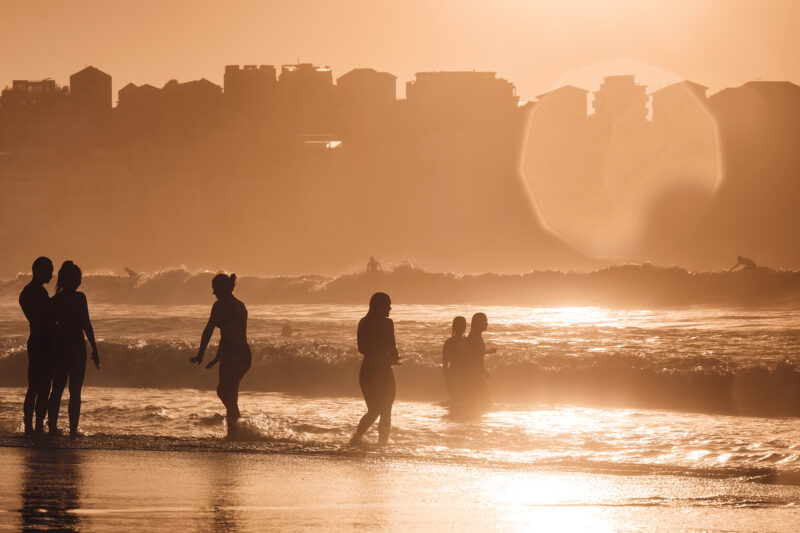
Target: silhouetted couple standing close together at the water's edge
point(56, 345)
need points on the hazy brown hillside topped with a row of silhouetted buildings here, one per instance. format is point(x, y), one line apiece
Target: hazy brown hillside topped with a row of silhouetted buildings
point(257, 151)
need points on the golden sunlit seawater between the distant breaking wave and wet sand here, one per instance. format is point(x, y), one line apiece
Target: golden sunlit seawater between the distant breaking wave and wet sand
point(697, 393)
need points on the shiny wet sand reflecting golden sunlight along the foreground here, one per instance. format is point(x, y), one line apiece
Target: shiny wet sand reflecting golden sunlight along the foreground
point(119, 490)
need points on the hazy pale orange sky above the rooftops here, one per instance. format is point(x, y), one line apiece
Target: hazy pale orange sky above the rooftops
point(538, 45)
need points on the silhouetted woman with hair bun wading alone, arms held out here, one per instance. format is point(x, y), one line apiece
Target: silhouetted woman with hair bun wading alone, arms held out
point(229, 315)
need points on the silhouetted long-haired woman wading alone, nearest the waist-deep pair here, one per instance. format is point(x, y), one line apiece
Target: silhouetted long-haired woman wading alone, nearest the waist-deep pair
point(376, 344)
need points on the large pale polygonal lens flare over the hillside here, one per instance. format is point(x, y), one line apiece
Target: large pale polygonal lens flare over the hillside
point(618, 169)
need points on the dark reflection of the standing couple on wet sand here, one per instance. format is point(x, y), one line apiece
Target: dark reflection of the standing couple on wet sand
point(51, 482)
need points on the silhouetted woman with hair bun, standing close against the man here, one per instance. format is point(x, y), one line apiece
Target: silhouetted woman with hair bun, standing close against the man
point(71, 313)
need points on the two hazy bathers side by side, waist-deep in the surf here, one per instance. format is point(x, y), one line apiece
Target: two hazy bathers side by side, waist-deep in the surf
point(463, 363)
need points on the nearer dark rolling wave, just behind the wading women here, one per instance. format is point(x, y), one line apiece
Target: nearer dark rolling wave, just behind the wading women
point(699, 383)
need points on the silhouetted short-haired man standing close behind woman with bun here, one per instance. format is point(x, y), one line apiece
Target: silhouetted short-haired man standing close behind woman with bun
point(35, 303)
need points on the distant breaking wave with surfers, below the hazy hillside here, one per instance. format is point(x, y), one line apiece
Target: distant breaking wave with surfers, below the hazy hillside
point(643, 284)
